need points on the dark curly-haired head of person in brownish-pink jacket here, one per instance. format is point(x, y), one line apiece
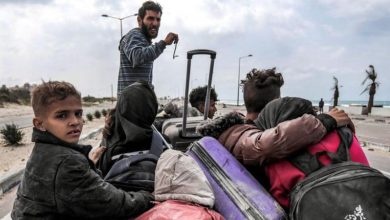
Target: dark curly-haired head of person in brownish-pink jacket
point(261, 87)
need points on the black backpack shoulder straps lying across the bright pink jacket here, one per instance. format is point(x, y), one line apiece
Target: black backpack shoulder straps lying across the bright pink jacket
point(308, 163)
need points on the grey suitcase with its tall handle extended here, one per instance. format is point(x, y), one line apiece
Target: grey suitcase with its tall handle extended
point(181, 131)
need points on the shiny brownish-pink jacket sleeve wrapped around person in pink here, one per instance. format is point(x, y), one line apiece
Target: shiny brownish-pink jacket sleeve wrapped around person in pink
point(257, 146)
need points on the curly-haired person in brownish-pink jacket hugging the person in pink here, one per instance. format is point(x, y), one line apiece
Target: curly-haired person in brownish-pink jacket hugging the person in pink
point(253, 146)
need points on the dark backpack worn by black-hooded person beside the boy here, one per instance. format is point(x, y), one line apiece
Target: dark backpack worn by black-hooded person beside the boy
point(134, 171)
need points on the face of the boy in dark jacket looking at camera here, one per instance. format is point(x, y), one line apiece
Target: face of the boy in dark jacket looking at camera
point(63, 119)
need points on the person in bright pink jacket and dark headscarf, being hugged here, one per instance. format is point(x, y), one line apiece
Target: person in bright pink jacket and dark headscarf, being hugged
point(283, 175)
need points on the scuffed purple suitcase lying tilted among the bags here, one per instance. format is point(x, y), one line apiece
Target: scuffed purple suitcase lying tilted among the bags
point(238, 195)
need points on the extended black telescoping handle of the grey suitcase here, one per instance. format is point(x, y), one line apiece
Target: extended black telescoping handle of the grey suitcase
point(190, 54)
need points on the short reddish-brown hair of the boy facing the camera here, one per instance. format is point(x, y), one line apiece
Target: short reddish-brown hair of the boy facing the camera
point(49, 92)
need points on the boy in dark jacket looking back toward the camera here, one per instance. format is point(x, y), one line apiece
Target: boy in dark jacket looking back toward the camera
point(60, 181)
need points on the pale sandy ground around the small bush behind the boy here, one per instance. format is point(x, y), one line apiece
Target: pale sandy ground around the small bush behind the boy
point(13, 158)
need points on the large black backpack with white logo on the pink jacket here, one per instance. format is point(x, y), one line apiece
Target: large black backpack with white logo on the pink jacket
point(344, 190)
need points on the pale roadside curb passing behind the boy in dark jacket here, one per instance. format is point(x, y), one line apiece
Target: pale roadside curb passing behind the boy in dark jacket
point(8, 181)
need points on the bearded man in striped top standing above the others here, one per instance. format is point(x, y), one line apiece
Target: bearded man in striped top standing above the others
point(137, 53)
